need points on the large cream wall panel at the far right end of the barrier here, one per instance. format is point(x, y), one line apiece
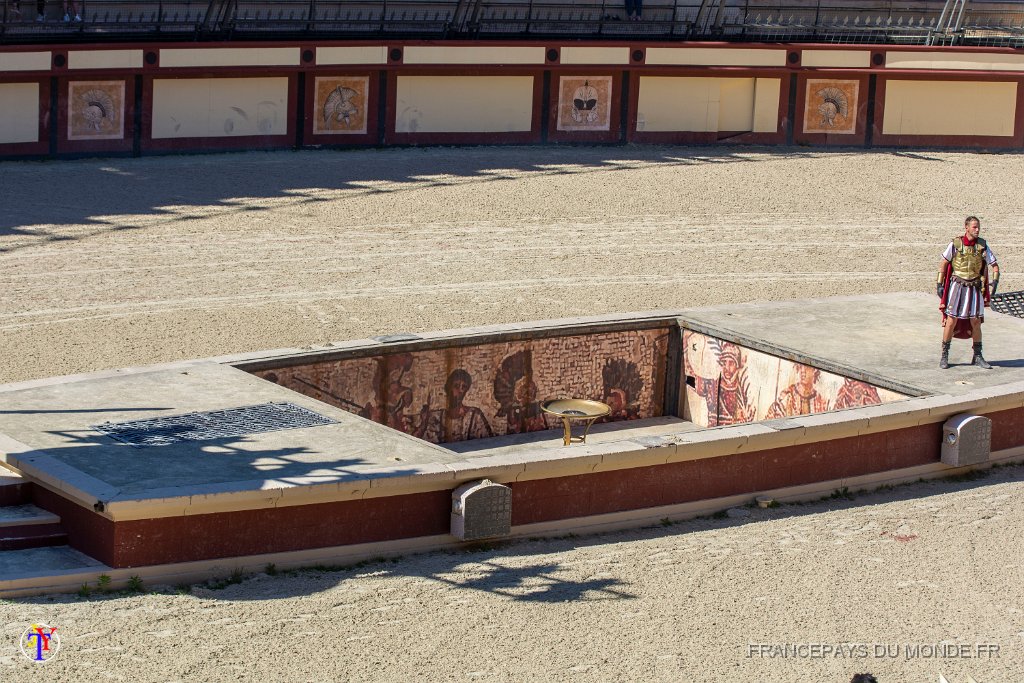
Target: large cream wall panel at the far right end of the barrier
point(950, 108)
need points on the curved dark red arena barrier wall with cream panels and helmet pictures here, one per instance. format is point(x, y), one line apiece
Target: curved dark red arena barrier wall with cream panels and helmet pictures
point(66, 101)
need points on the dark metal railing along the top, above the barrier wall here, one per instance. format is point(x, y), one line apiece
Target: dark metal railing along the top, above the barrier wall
point(892, 22)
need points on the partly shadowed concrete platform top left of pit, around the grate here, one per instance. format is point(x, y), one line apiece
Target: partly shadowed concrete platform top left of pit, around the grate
point(57, 444)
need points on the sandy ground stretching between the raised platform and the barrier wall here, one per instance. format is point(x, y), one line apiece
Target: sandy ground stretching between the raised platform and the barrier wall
point(123, 263)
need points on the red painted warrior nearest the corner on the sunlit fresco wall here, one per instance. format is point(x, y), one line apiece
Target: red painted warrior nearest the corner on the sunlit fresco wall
point(728, 397)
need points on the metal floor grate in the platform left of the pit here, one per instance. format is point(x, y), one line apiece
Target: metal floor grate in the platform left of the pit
point(212, 424)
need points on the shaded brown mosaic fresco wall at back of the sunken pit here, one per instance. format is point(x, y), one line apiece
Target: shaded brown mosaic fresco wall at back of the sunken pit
point(456, 395)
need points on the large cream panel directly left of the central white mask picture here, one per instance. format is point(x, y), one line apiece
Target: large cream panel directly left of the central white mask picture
point(464, 104)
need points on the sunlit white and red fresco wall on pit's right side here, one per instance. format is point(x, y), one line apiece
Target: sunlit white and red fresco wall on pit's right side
point(729, 385)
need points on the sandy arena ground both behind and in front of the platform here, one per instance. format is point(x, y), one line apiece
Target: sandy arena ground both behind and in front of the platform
point(119, 263)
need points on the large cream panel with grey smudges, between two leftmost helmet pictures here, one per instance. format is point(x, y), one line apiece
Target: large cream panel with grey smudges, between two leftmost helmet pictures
point(220, 107)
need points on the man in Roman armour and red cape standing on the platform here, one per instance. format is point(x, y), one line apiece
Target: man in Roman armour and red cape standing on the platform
point(963, 286)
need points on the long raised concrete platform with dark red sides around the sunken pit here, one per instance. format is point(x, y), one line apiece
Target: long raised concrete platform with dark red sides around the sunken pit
point(357, 484)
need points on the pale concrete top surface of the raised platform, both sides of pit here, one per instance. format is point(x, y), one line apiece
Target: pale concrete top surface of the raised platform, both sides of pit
point(47, 429)
